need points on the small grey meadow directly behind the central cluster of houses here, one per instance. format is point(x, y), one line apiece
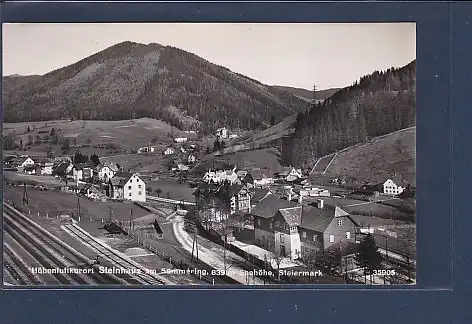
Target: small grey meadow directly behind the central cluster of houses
point(268, 159)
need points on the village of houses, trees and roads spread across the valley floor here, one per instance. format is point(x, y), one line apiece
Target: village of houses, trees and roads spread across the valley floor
point(280, 221)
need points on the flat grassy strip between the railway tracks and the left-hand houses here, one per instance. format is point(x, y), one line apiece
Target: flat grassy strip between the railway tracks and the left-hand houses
point(60, 203)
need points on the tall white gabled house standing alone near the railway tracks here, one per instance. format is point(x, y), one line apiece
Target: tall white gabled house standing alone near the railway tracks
point(127, 186)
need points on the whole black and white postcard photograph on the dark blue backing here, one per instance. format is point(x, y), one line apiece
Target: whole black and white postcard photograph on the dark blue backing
point(209, 154)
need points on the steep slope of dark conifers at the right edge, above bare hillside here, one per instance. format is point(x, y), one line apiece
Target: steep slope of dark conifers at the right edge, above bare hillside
point(378, 104)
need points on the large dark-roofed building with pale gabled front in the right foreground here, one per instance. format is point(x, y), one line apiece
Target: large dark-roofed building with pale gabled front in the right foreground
point(291, 230)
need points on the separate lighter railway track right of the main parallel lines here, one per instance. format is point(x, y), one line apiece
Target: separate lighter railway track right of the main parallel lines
point(119, 261)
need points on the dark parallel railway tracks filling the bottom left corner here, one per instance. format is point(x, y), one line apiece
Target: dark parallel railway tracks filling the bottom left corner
point(61, 262)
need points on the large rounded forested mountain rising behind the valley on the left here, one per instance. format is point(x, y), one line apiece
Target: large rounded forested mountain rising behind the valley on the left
point(134, 80)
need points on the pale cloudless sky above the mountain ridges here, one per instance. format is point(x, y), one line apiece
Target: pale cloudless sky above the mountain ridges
point(297, 55)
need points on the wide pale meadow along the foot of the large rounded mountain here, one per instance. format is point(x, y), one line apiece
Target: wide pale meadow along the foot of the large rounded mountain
point(124, 134)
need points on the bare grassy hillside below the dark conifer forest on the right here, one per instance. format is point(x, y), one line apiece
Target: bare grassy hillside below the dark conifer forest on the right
point(377, 160)
